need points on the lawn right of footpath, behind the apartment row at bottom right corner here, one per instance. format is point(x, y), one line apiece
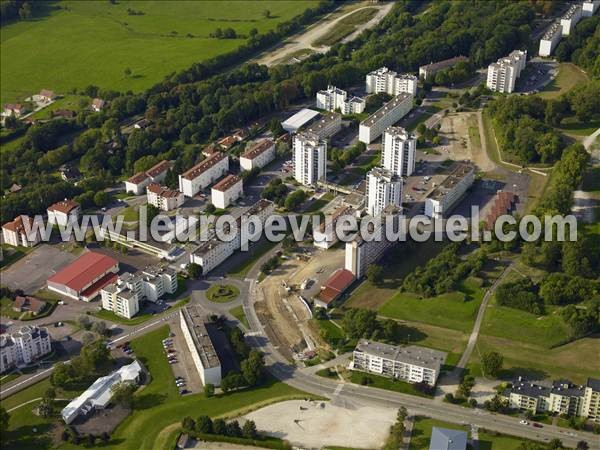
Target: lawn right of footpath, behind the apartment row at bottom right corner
point(570, 361)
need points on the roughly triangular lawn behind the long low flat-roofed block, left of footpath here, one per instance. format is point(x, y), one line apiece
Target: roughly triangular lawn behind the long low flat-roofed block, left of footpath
point(455, 310)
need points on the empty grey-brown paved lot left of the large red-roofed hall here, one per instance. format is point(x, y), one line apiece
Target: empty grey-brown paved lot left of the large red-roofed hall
point(31, 272)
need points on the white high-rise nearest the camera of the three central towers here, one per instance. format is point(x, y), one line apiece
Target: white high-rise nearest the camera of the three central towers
point(384, 189)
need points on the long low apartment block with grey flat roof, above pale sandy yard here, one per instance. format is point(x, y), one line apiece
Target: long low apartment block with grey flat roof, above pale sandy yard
point(410, 363)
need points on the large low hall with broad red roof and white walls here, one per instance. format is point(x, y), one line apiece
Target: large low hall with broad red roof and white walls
point(84, 277)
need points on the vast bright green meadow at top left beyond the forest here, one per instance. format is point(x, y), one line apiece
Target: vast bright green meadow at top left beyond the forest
point(83, 43)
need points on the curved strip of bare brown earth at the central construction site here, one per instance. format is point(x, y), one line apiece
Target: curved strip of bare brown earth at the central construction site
point(279, 306)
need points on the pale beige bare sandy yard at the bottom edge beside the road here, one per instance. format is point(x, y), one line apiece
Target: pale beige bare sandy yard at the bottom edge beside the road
point(314, 424)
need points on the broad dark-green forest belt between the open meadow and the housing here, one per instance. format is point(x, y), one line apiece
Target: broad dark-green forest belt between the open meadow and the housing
point(195, 106)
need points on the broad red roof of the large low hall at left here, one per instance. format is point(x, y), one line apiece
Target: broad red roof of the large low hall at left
point(84, 270)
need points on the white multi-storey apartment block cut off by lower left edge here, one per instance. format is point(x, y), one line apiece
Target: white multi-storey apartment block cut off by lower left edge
point(23, 347)
